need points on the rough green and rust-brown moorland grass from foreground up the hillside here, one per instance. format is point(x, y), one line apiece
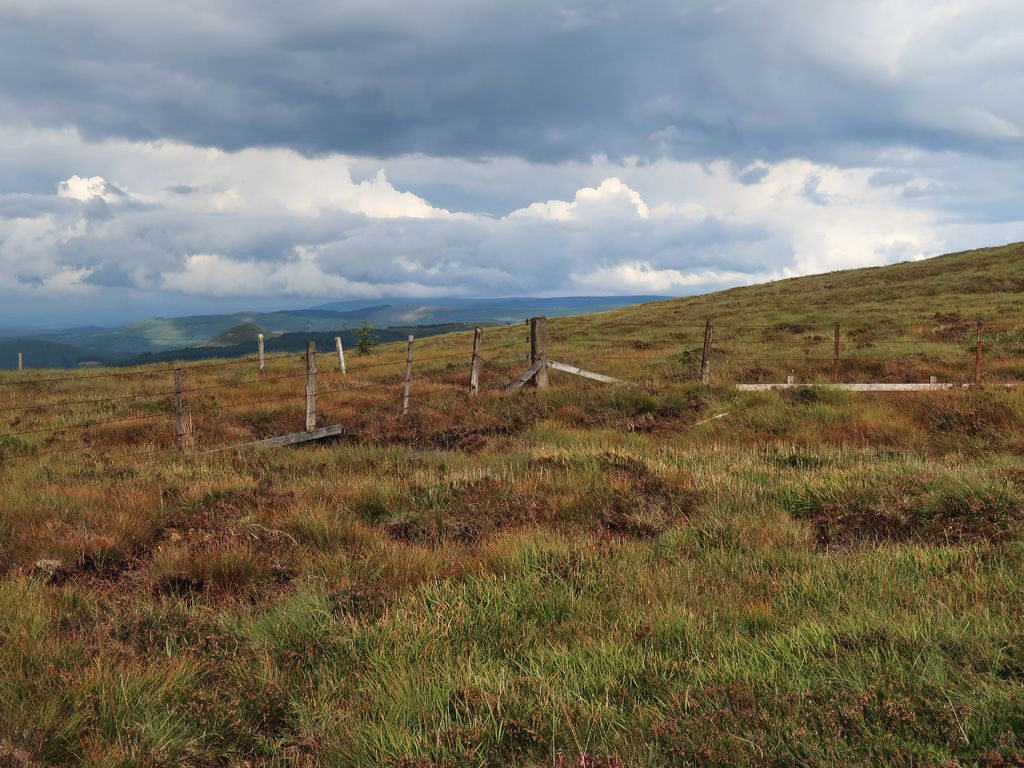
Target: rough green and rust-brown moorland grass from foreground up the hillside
point(585, 576)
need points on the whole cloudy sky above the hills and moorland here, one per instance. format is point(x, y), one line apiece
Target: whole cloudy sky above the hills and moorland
point(218, 156)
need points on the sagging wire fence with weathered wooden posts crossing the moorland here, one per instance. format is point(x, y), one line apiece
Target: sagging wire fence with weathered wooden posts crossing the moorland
point(199, 407)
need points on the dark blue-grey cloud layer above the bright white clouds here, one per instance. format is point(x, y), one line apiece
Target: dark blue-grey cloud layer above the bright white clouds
point(543, 81)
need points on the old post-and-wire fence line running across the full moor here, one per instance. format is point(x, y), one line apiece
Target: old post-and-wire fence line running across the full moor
point(954, 350)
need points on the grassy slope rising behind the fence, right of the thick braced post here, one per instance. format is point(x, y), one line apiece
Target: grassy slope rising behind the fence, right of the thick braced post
point(900, 323)
